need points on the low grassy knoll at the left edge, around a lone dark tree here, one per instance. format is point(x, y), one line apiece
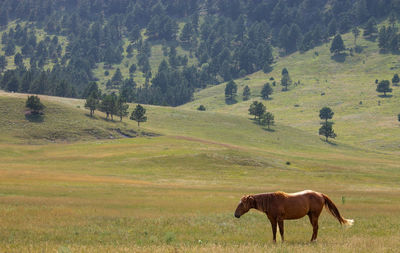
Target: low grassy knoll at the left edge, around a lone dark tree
point(62, 121)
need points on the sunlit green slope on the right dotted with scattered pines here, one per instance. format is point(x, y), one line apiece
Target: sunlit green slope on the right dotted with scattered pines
point(362, 117)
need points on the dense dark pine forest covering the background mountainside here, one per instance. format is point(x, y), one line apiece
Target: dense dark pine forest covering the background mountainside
point(227, 38)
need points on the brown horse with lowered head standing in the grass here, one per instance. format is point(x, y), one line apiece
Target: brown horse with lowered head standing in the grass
point(279, 206)
